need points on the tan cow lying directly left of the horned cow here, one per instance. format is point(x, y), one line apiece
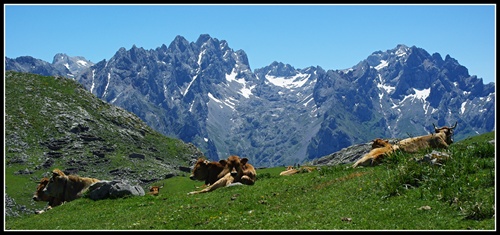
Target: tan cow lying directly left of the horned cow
point(381, 148)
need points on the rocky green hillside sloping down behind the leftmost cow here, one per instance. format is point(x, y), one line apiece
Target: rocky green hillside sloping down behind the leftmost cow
point(53, 122)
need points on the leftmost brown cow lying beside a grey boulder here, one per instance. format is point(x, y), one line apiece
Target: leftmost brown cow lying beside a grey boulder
point(67, 188)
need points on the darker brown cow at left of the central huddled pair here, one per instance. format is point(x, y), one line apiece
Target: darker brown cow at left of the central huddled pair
point(207, 171)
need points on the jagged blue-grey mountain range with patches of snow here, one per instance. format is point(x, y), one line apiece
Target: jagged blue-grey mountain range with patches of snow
point(204, 92)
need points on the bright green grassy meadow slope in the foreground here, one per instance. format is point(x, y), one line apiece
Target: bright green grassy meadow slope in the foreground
point(399, 194)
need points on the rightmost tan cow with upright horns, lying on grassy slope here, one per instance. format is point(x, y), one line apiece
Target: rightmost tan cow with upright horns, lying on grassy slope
point(442, 138)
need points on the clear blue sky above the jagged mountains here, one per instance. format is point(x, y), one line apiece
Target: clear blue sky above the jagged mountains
point(330, 36)
